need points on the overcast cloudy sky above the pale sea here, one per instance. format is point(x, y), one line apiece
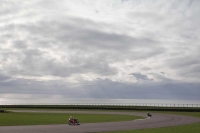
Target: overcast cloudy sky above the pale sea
point(108, 49)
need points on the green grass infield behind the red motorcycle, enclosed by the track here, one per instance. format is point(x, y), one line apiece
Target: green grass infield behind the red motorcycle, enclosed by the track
point(10, 119)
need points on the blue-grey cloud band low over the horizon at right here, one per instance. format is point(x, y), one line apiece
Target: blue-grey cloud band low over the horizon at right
point(145, 91)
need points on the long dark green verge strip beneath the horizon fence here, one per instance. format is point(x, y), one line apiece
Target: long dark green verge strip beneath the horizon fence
point(105, 107)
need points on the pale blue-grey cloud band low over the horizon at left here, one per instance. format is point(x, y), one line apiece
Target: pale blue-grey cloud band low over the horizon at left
point(36, 89)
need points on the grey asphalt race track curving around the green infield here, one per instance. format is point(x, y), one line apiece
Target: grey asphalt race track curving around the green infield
point(158, 120)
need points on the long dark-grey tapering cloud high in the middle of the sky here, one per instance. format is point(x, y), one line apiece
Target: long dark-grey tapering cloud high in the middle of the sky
point(74, 37)
